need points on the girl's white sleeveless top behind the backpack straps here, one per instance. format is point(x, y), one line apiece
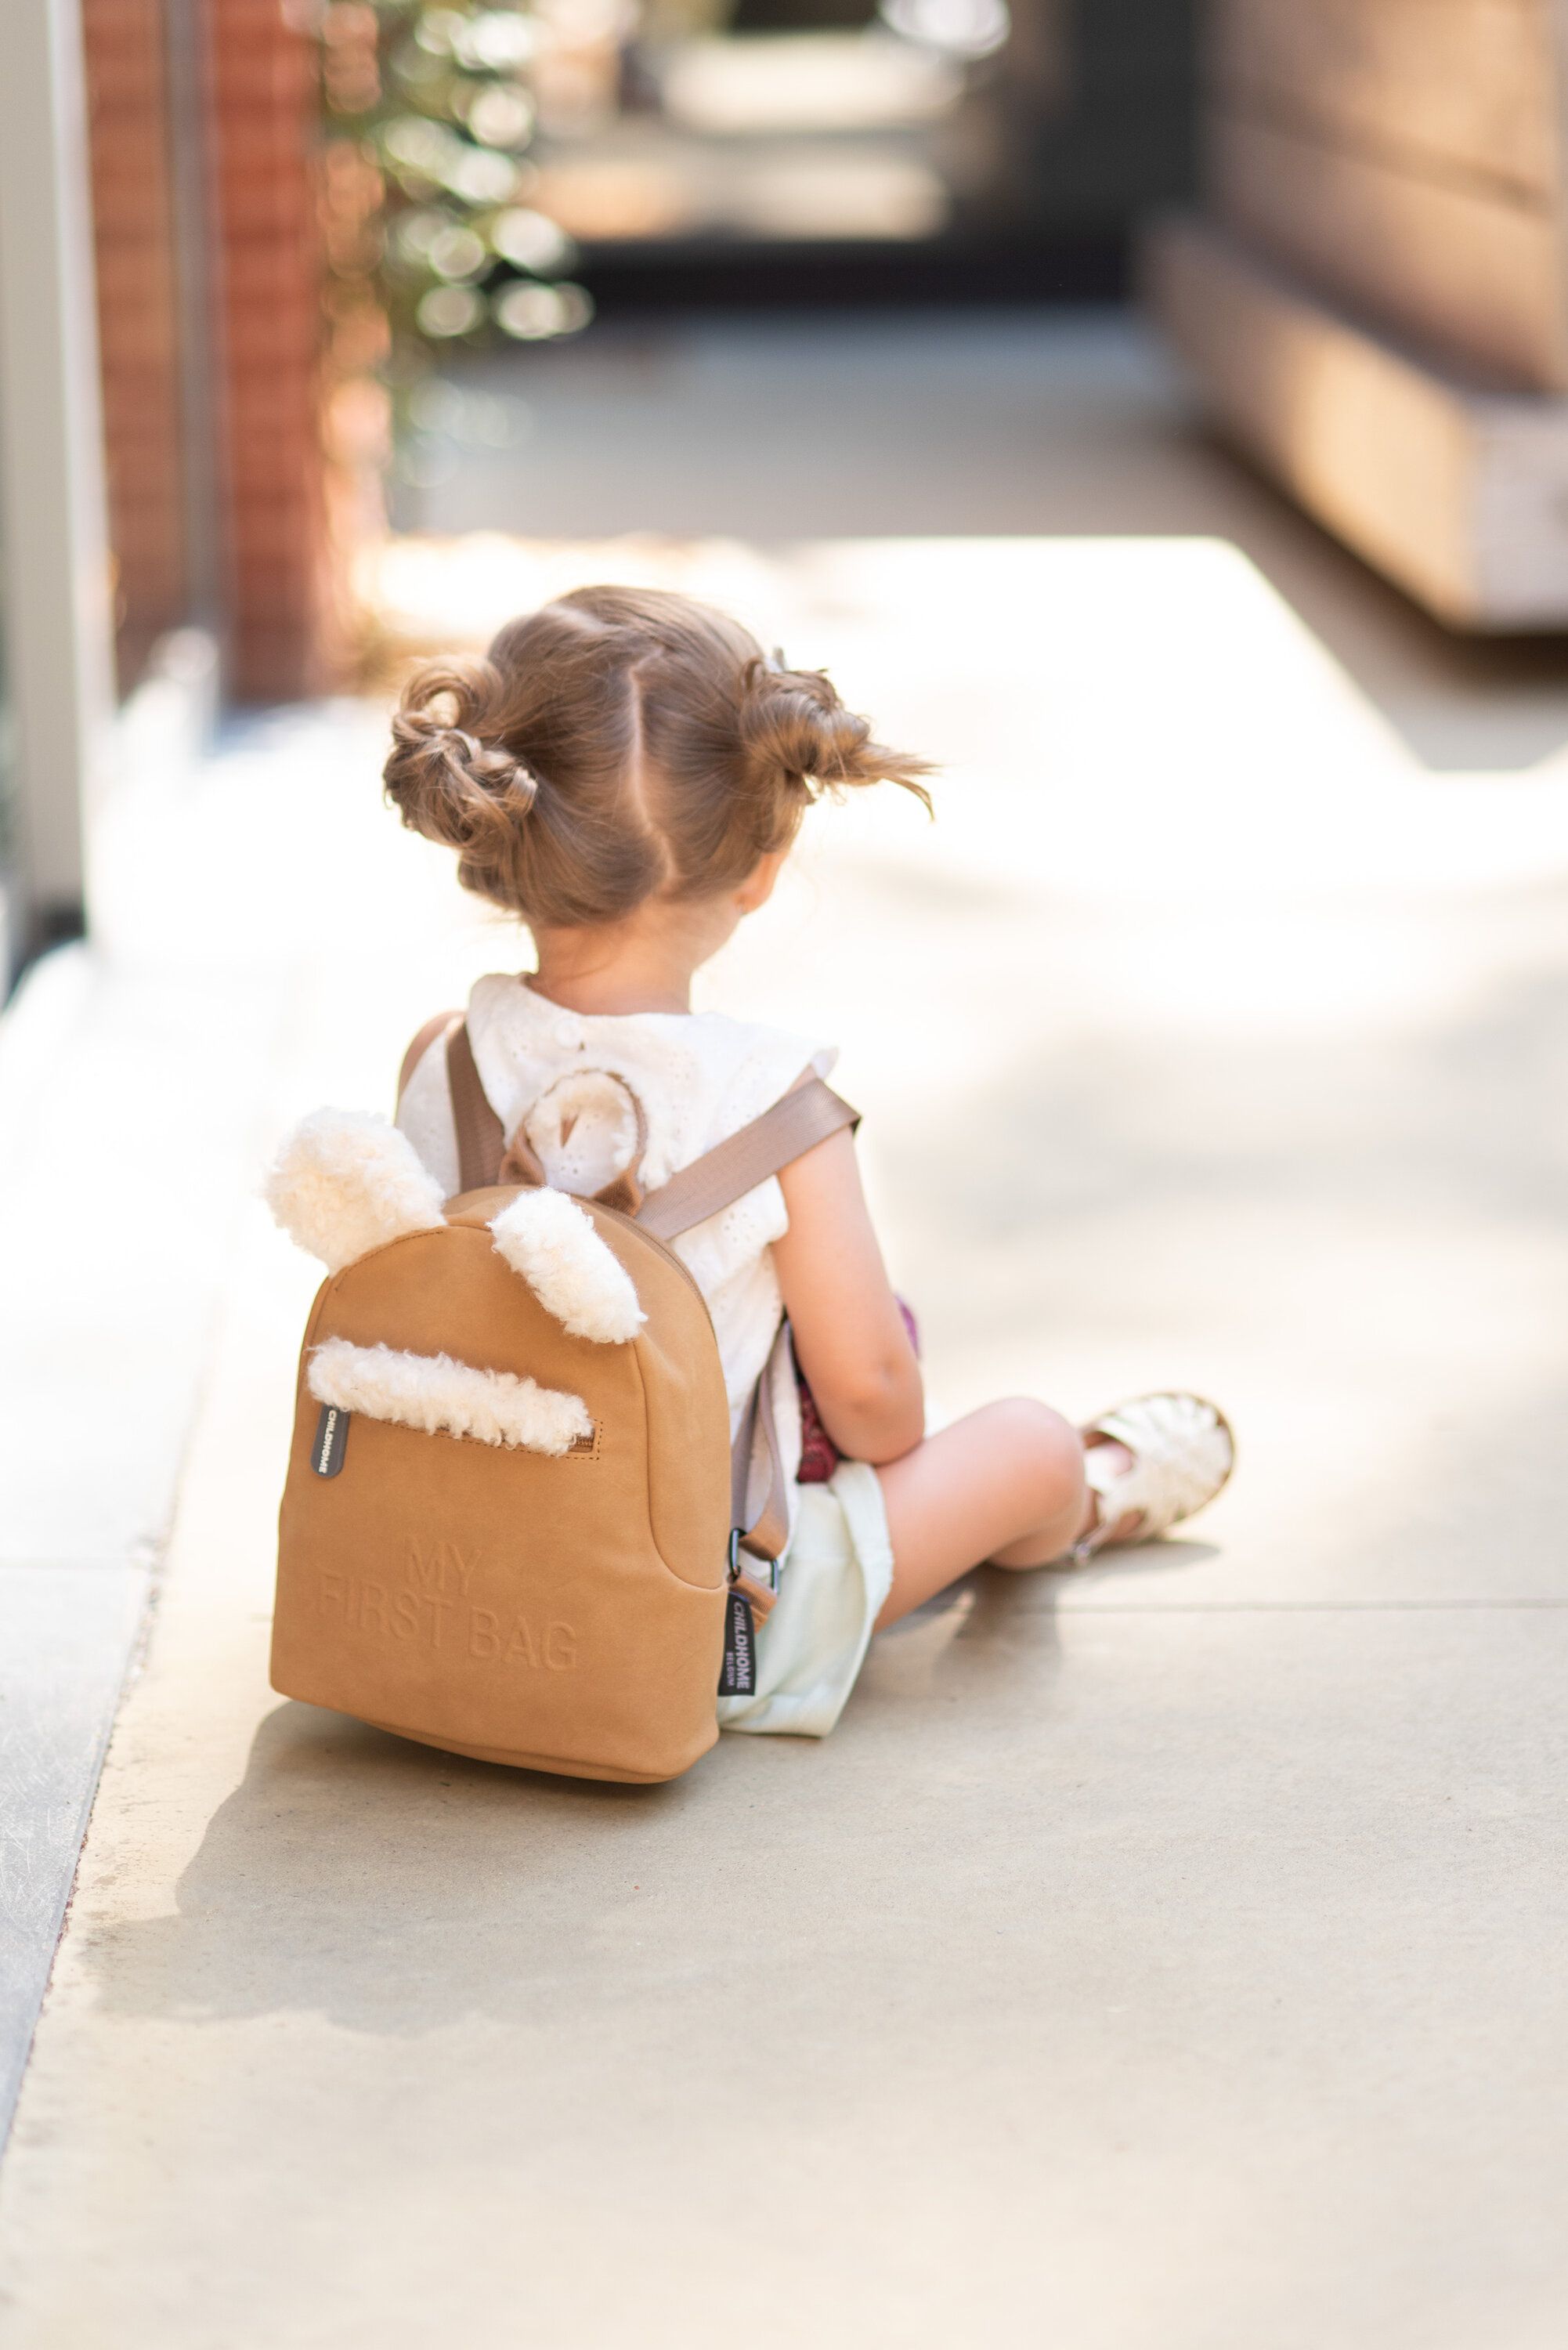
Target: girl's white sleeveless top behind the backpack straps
point(699, 1080)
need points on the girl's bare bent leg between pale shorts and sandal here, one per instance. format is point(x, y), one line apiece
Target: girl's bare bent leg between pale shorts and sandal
point(1003, 1486)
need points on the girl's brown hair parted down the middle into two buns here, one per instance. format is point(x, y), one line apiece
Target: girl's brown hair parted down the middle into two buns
point(617, 746)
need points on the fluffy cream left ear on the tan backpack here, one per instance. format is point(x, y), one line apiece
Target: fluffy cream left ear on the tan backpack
point(347, 1181)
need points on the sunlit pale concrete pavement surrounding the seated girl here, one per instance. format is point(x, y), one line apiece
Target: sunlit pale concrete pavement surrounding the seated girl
point(1158, 1959)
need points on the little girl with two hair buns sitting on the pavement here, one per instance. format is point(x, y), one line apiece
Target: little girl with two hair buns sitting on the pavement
point(626, 774)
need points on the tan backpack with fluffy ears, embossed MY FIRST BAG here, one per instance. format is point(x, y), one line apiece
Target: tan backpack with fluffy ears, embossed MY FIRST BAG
point(514, 1522)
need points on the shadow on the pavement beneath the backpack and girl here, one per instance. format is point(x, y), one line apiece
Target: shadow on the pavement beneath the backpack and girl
point(396, 1888)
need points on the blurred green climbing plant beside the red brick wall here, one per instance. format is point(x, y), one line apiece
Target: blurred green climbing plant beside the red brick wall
point(429, 177)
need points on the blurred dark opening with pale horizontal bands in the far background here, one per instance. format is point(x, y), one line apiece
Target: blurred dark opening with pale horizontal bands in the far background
point(847, 152)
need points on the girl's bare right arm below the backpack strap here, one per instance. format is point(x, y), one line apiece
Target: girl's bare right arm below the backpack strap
point(850, 1338)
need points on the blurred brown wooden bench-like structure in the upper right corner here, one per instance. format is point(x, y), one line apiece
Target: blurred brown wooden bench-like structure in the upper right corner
point(1376, 297)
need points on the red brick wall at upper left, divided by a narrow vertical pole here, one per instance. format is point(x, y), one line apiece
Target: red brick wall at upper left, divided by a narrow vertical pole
point(257, 159)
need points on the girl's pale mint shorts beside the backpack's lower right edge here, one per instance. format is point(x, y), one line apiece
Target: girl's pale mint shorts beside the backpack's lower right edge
point(831, 1590)
